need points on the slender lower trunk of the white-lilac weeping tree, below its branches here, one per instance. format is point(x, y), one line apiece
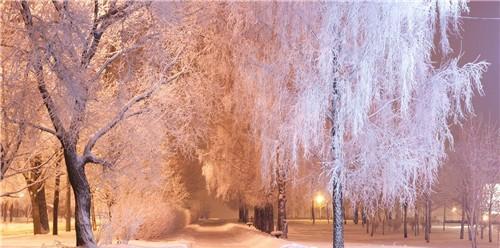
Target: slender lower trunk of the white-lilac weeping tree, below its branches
point(338, 222)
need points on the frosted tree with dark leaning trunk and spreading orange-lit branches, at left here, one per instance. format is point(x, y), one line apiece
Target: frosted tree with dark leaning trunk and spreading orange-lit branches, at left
point(69, 45)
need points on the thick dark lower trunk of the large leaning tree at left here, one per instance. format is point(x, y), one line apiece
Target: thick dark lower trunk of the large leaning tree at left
point(81, 190)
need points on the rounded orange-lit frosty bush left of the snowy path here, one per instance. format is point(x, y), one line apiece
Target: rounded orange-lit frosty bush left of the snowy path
point(144, 209)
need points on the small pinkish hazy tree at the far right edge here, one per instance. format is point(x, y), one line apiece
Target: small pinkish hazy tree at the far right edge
point(475, 162)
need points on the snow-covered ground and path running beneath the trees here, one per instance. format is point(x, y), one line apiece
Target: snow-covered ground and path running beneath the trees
point(222, 234)
